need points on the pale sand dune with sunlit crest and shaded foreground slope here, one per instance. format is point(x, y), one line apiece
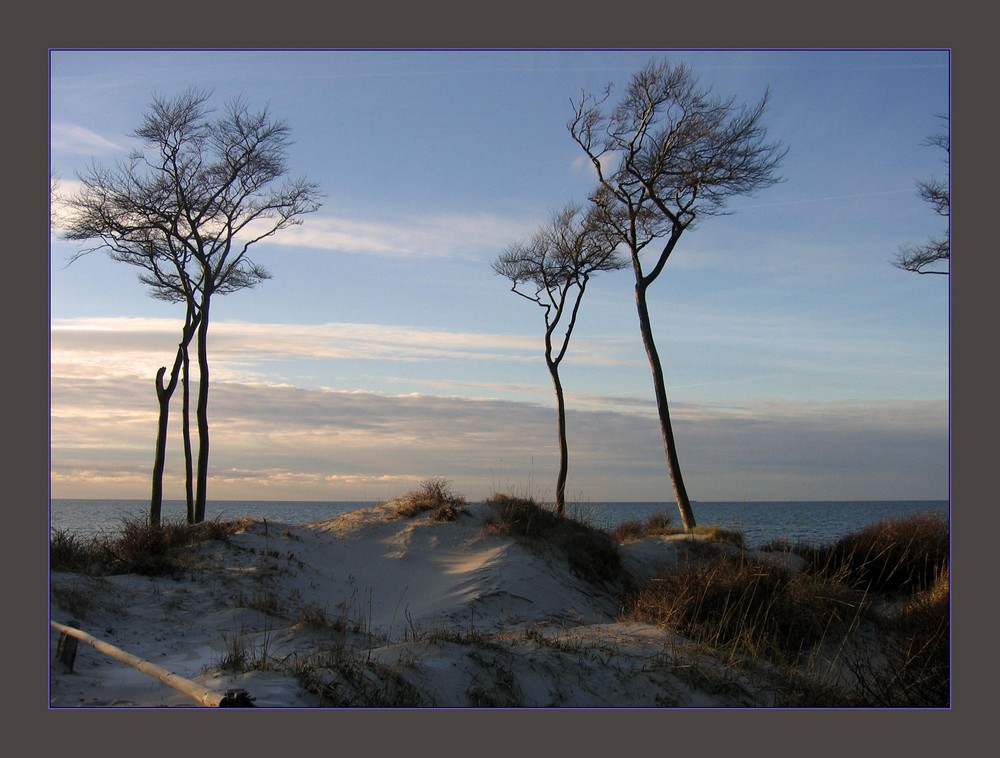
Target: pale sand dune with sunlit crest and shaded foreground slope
point(419, 613)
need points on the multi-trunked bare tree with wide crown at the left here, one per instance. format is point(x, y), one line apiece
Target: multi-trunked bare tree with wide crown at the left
point(186, 210)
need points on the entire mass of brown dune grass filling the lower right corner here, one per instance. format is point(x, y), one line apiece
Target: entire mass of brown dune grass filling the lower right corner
point(874, 607)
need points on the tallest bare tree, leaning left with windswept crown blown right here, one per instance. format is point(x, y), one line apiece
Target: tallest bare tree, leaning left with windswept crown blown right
point(668, 153)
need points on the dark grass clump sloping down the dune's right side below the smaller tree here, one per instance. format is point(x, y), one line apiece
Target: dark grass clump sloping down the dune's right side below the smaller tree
point(590, 552)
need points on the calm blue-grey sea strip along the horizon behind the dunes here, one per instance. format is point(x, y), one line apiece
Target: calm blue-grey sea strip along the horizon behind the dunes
point(820, 523)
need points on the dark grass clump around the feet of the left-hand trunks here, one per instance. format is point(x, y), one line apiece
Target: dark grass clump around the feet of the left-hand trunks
point(138, 547)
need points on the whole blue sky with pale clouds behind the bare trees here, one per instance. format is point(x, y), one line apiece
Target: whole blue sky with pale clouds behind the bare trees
point(799, 363)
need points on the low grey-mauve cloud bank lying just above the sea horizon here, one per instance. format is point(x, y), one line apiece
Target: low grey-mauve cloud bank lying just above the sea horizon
point(296, 443)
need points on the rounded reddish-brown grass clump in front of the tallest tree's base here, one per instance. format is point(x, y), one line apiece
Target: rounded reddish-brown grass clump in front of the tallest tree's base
point(753, 607)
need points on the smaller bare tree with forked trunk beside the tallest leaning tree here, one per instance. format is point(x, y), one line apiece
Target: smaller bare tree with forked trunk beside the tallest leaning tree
point(552, 270)
